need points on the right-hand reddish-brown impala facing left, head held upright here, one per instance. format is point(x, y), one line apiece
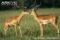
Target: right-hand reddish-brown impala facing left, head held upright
point(45, 19)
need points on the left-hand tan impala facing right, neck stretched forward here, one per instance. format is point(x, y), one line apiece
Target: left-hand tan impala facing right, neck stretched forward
point(13, 21)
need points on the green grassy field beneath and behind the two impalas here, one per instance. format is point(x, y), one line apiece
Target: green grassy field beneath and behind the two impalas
point(29, 26)
